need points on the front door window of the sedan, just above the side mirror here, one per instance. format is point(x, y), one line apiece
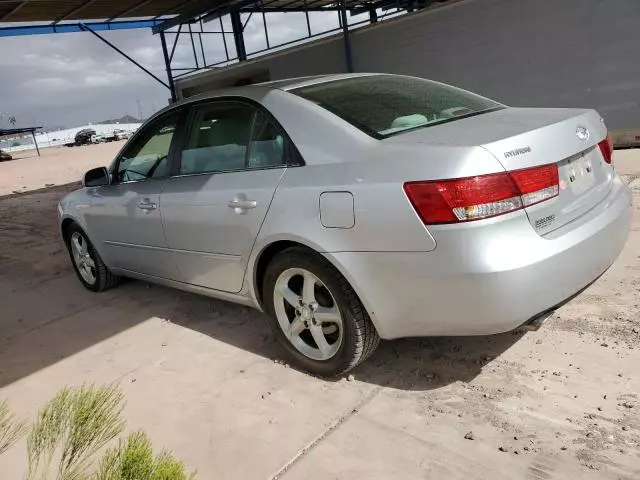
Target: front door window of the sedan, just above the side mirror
point(148, 156)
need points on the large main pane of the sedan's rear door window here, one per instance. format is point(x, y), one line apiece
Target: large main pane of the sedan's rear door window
point(218, 139)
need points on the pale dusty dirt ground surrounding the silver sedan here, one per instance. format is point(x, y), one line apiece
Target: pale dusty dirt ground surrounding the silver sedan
point(205, 378)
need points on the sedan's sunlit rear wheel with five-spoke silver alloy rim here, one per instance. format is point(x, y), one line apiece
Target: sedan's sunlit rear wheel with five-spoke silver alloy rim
point(315, 314)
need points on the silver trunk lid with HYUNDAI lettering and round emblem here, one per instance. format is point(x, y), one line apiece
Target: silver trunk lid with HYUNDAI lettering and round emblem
point(527, 137)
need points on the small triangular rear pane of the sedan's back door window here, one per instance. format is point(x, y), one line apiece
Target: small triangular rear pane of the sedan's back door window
point(267, 144)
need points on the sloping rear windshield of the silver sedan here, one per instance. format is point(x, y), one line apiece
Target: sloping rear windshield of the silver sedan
point(385, 105)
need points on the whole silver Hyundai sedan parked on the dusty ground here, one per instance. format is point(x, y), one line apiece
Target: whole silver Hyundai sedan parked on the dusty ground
point(351, 208)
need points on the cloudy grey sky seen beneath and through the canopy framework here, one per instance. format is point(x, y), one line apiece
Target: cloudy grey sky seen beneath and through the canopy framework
point(72, 79)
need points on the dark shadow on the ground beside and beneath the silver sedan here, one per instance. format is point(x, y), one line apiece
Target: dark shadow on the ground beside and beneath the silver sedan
point(46, 315)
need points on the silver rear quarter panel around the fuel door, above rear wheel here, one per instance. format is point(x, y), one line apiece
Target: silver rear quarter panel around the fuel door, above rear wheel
point(341, 158)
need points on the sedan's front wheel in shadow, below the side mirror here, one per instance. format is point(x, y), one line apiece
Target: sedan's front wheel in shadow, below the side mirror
point(88, 265)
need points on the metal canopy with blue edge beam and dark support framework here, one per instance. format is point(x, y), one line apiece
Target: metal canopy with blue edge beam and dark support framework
point(168, 17)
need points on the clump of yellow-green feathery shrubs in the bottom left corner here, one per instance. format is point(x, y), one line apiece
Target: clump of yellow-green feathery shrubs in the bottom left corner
point(74, 426)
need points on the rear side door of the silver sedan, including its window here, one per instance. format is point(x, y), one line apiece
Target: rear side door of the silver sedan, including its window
point(232, 159)
